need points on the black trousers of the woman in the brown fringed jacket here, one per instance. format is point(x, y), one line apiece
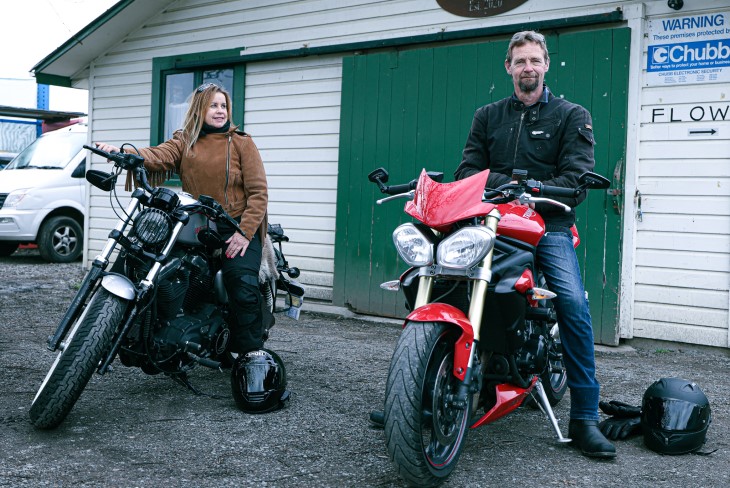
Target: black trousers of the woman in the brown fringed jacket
point(241, 279)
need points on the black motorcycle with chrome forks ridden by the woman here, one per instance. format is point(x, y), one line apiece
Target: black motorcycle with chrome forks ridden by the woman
point(161, 306)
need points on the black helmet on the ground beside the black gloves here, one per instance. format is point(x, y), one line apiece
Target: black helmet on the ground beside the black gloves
point(675, 415)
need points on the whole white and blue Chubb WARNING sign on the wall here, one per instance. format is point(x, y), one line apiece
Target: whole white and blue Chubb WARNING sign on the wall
point(692, 49)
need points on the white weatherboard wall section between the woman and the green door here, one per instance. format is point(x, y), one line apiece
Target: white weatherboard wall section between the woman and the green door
point(293, 115)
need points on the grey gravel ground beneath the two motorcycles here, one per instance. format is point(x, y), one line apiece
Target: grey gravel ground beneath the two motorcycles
point(129, 429)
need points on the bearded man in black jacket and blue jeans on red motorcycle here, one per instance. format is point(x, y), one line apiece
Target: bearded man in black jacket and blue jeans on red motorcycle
point(552, 139)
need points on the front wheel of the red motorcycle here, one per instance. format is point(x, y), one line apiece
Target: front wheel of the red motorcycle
point(424, 430)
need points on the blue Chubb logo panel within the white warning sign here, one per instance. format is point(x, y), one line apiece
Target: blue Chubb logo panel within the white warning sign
point(703, 54)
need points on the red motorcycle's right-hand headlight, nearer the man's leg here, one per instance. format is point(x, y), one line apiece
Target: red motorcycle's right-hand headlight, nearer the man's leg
point(465, 247)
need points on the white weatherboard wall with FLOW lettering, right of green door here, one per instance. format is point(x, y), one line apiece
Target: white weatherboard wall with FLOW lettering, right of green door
point(681, 210)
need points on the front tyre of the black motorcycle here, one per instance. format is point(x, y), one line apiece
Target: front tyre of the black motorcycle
point(86, 343)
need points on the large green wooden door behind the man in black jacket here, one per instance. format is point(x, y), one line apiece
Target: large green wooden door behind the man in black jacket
point(409, 110)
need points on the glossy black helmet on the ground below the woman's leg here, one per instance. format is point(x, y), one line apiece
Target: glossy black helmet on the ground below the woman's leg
point(258, 382)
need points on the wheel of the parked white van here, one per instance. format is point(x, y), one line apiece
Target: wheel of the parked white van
point(60, 240)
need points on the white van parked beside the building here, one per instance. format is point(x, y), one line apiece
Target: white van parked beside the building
point(43, 196)
